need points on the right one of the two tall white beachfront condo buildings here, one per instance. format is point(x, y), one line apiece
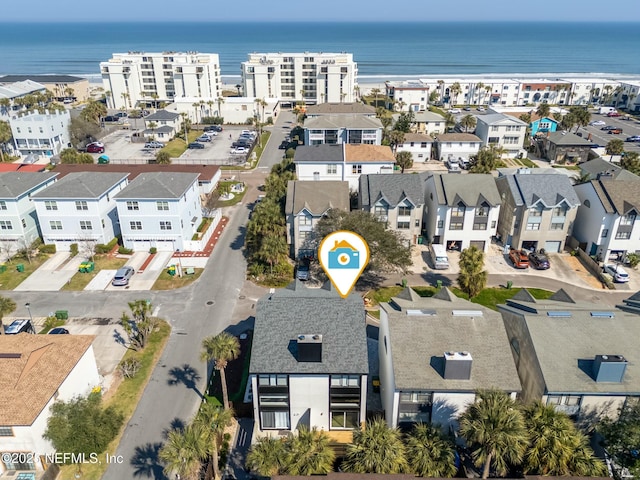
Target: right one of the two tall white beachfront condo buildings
point(311, 78)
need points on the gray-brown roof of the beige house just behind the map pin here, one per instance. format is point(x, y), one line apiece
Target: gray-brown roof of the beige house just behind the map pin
point(316, 197)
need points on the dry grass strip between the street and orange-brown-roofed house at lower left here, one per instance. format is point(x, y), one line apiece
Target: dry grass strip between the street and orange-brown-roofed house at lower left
point(126, 398)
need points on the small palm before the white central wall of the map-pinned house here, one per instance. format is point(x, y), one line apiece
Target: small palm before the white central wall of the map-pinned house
point(309, 453)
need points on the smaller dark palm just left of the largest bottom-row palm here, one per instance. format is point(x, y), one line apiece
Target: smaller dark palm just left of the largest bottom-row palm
point(430, 453)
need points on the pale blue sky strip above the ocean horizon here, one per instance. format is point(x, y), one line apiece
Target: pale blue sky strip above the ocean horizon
point(275, 10)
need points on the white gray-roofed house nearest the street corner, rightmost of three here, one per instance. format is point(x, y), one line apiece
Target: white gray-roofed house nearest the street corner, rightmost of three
point(159, 209)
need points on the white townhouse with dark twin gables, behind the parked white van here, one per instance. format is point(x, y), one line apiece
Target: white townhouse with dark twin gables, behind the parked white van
point(461, 210)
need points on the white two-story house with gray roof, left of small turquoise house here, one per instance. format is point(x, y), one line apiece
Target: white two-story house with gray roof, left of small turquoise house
point(503, 131)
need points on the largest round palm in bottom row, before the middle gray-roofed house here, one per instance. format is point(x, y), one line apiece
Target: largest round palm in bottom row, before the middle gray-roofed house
point(494, 428)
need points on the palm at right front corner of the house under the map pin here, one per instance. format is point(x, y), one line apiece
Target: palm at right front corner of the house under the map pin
point(377, 448)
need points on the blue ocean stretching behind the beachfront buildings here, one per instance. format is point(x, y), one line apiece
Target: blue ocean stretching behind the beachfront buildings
point(383, 51)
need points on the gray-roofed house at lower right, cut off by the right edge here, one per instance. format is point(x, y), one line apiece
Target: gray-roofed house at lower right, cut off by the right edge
point(579, 357)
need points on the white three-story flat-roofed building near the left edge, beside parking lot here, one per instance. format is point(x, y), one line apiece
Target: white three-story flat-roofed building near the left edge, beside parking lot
point(40, 133)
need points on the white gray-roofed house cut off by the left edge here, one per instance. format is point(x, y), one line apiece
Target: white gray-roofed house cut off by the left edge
point(18, 220)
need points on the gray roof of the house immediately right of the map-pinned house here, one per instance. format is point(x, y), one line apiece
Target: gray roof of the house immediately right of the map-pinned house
point(418, 342)
